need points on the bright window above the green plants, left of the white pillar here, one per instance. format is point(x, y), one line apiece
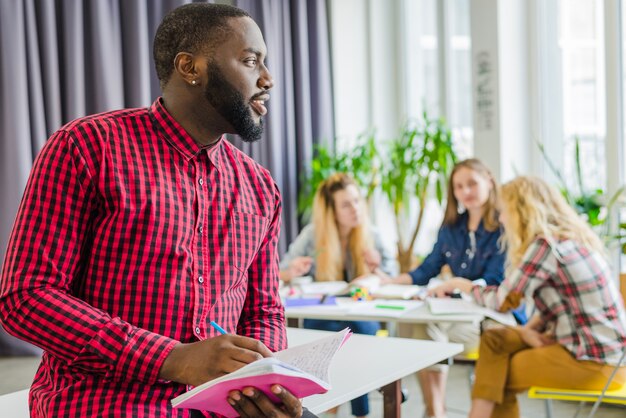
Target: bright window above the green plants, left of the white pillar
point(438, 59)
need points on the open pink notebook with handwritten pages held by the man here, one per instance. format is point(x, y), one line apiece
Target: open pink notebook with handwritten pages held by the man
point(303, 370)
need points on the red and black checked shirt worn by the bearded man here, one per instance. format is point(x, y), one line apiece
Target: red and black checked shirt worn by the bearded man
point(131, 237)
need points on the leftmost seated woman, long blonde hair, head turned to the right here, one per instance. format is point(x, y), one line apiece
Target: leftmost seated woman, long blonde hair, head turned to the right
point(339, 245)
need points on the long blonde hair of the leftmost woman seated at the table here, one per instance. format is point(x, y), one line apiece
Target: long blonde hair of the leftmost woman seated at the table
point(329, 265)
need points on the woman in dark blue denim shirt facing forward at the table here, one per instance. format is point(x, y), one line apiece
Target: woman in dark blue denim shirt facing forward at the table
point(468, 245)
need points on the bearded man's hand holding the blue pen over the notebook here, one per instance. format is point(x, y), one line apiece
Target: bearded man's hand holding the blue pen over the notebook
point(199, 362)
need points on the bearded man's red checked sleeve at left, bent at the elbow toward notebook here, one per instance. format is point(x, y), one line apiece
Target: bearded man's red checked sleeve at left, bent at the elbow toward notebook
point(44, 261)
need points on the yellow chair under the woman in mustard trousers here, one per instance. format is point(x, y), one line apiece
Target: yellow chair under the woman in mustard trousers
point(617, 396)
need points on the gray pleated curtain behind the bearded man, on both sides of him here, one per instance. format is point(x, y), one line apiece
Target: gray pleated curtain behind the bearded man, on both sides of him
point(63, 59)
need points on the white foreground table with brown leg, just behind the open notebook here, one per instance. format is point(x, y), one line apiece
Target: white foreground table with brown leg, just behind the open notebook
point(367, 363)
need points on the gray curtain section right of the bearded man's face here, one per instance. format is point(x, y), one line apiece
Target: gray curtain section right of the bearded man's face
point(300, 108)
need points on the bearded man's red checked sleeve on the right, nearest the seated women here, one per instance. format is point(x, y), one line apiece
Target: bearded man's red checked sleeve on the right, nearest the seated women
point(263, 315)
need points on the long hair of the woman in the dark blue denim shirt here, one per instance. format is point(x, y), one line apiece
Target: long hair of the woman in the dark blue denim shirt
point(490, 214)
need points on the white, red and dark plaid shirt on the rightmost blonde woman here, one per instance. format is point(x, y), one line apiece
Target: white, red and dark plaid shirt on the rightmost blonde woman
point(573, 293)
